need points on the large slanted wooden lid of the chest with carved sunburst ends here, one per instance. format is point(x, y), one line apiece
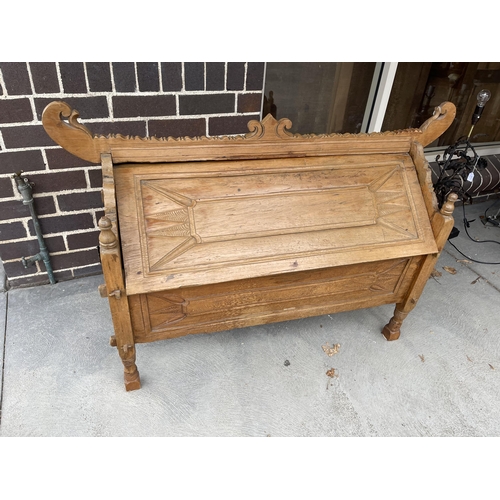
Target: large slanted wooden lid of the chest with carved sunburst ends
point(221, 221)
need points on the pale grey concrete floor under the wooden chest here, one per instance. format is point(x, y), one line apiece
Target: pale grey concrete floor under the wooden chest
point(441, 378)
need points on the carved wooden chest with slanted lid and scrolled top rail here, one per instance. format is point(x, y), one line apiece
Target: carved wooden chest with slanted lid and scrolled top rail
point(205, 234)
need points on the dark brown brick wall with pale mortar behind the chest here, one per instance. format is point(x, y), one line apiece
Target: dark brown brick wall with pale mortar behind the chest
point(144, 99)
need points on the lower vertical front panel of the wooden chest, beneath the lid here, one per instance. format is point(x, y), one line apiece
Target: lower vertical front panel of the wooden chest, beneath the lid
point(236, 304)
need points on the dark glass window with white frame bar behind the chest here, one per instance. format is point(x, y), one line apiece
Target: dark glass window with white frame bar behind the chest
point(367, 97)
